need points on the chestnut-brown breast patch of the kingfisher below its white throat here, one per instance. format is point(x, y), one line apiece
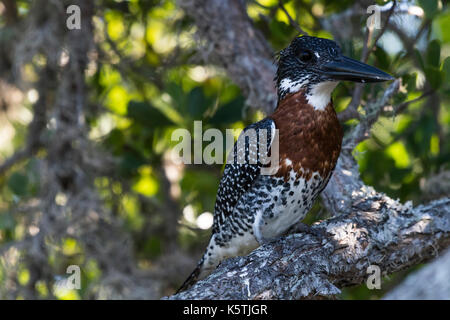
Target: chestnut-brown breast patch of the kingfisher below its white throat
point(309, 140)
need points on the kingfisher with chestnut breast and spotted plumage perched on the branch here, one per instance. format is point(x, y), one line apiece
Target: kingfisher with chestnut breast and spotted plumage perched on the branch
point(252, 207)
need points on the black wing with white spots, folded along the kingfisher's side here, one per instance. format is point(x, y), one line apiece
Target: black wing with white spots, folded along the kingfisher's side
point(242, 168)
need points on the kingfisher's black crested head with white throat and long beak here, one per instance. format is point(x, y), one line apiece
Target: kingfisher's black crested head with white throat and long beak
point(315, 66)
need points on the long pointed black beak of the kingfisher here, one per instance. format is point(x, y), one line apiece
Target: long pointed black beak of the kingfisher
point(348, 69)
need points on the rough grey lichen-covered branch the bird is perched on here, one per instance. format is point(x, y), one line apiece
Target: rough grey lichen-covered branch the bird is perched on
point(377, 231)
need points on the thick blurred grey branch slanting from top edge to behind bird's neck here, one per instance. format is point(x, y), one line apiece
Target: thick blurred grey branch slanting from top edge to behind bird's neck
point(236, 46)
